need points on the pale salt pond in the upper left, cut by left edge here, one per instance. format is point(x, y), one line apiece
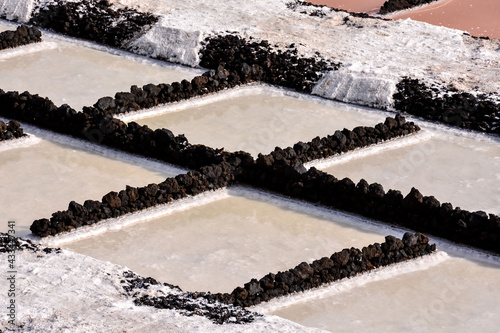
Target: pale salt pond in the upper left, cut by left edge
point(73, 74)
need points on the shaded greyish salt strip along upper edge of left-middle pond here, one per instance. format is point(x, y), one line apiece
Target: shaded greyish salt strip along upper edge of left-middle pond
point(99, 149)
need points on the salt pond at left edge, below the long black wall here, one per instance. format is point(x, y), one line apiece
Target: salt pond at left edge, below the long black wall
point(39, 180)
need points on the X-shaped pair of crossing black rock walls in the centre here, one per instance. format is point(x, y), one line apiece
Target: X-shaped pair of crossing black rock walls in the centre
point(280, 171)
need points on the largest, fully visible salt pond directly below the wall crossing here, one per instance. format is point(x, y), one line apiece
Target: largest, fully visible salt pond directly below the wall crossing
point(219, 246)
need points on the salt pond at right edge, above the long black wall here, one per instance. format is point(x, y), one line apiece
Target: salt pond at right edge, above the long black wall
point(454, 168)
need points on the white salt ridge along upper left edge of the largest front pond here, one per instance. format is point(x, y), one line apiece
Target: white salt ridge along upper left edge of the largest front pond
point(131, 218)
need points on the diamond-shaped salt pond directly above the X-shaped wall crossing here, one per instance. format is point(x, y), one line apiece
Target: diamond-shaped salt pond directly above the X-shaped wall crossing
point(257, 119)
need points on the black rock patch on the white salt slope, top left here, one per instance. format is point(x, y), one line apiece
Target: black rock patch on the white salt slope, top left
point(94, 20)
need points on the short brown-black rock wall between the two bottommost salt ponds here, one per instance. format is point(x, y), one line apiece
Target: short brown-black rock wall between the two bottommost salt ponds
point(344, 264)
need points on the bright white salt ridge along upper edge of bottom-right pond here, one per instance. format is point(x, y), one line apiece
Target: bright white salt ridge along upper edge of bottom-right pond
point(347, 284)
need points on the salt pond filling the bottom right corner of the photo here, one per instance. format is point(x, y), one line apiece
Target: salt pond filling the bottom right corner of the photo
point(456, 295)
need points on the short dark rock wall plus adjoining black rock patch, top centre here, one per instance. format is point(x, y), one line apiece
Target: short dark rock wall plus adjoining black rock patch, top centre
point(234, 61)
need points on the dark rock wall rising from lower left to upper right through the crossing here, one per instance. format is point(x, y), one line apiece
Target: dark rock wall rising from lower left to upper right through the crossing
point(211, 177)
